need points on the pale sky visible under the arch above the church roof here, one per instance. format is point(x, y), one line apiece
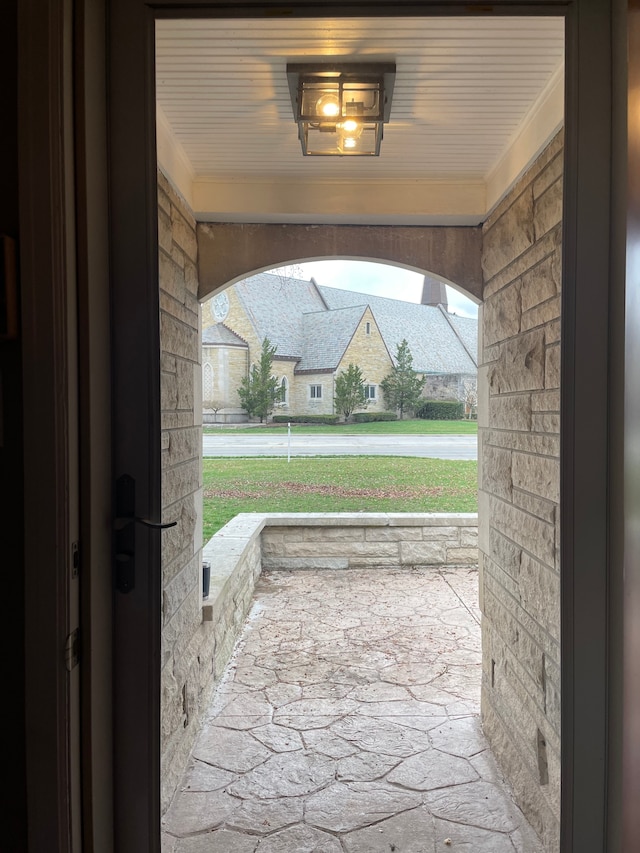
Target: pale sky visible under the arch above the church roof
point(378, 280)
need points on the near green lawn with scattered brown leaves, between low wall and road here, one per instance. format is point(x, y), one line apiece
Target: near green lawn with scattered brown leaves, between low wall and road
point(335, 484)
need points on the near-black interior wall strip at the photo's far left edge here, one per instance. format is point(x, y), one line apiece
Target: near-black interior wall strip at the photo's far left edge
point(11, 459)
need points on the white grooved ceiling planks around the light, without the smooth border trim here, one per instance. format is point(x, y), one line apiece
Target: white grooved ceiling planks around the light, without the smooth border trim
point(465, 88)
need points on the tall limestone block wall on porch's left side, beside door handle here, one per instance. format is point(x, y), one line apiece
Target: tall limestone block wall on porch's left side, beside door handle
point(186, 668)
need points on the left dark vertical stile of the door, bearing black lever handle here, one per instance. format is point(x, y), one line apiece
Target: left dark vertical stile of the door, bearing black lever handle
point(136, 430)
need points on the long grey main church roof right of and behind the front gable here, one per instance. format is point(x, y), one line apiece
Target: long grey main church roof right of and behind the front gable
point(434, 343)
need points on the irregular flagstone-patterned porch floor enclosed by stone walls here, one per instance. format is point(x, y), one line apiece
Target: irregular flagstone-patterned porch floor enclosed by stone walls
point(348, 723)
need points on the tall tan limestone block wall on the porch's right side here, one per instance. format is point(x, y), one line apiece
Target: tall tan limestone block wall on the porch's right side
point(519, 447)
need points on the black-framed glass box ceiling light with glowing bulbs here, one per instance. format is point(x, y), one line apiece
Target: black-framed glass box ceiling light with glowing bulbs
point(340, 108)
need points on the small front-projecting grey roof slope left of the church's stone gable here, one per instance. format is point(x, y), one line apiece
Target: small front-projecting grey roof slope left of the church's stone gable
point(327, 335)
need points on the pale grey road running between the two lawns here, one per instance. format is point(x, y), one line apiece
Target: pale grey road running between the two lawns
point(433, 446)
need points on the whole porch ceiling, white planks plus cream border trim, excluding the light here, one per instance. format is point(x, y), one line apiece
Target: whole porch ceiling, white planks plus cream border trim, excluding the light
point(475, 100)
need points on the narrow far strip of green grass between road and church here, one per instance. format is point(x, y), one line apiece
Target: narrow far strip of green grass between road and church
point(407, 427)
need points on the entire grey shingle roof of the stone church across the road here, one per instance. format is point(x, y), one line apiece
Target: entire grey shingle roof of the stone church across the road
point(315, 324)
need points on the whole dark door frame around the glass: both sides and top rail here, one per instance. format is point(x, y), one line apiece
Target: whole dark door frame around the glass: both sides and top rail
point(136, 421)
